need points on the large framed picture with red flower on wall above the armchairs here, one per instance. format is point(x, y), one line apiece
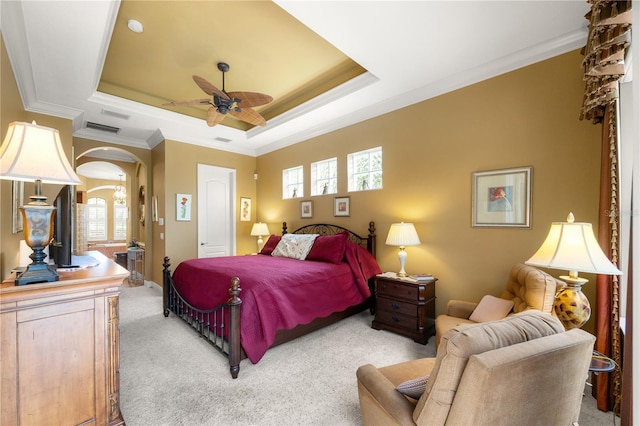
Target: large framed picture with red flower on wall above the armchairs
point(502, 198)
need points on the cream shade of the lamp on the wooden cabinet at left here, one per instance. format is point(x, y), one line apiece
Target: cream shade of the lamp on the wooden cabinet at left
point(31, 152)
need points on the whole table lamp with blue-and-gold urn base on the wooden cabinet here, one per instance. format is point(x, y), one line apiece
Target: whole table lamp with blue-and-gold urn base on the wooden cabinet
point(32, 152)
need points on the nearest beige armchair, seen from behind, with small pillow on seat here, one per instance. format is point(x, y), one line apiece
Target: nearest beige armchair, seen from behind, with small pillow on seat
point(524, 369)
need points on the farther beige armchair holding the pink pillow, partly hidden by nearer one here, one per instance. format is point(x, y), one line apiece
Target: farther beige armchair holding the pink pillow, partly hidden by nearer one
point(527, 287)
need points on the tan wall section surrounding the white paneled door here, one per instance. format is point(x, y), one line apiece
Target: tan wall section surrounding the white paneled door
point(180, 176)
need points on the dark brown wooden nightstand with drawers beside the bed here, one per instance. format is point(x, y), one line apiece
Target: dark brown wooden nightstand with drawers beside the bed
point(405, 306)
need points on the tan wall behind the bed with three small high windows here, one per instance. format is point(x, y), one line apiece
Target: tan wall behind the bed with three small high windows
point(528, 117)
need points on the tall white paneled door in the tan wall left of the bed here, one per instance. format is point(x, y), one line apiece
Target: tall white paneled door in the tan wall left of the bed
point(216, 211)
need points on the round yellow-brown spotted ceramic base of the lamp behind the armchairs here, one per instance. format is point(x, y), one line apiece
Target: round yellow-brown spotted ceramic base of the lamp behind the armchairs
point(571, 305)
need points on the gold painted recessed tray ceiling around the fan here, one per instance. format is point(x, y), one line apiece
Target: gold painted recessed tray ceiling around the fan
point(267, 49)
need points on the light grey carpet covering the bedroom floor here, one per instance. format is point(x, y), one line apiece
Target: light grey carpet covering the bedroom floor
point(170, 376)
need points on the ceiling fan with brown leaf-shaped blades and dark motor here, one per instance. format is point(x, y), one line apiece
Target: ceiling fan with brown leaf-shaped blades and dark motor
point(237, 104)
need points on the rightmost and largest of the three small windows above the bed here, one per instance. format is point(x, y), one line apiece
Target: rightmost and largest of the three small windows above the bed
point(364, 170)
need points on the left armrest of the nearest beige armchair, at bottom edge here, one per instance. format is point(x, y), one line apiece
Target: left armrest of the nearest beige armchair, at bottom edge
point(380, 402)
